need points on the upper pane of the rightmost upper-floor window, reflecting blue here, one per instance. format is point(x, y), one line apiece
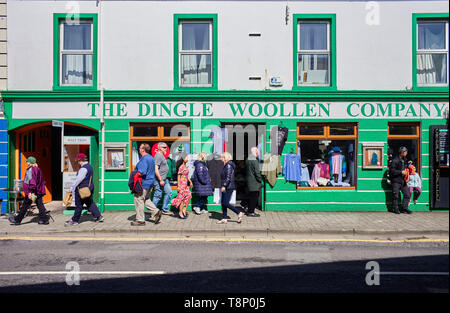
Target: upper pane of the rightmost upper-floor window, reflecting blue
point(431, 35)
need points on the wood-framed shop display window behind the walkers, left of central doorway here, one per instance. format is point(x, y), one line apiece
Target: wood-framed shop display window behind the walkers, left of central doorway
point(175, 135)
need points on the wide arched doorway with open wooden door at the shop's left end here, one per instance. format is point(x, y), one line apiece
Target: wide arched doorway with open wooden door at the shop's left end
point(44, 142)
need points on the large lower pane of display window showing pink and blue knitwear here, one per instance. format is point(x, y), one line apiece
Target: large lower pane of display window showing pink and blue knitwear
point(323, 163)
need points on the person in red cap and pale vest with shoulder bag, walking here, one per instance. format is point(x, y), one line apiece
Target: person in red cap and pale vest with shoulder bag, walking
point(84, 179)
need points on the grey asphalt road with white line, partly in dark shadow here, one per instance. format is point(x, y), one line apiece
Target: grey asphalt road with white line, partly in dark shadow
point(222, 267)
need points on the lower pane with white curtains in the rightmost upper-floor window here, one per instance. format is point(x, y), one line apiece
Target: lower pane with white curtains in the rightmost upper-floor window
point(431, 69)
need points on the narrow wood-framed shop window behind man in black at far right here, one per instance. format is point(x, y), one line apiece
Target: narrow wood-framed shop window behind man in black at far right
point(406, 134)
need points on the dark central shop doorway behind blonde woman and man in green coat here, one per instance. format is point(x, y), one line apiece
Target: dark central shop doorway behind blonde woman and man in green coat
point(241, 138)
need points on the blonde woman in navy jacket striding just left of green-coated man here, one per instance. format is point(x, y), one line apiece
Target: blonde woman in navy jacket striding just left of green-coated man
point(227, 188)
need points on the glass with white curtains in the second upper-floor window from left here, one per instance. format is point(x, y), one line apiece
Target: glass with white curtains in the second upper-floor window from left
point(196, 68)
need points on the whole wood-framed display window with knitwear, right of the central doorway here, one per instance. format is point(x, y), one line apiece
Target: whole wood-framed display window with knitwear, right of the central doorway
point(328, 155)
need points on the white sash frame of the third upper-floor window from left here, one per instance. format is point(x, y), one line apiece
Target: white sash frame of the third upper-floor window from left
point(316, 52)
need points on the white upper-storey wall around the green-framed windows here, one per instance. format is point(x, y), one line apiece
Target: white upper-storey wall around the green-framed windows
point(137, 42)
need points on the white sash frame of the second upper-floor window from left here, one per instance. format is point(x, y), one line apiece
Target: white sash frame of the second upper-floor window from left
point(182, 52)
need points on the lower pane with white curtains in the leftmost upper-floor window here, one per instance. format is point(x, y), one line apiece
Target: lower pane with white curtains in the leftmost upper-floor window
point(77, 69)
